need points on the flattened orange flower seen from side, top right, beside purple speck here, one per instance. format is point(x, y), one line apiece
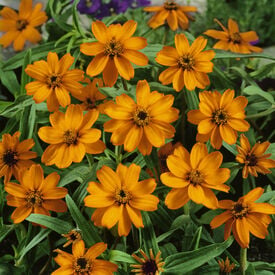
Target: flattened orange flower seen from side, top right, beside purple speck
point(233, 40)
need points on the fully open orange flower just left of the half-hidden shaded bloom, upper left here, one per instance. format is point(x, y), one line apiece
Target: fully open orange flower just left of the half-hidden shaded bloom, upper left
point(54, 81)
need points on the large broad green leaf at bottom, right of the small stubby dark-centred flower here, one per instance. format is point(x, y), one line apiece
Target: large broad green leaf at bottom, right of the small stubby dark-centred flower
point(184, 262)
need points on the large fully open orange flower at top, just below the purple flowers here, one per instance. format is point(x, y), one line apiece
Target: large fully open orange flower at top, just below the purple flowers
point(114, 51)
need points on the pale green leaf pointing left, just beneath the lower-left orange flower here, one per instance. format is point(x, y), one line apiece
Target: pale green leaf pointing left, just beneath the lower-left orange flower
point(54, 224)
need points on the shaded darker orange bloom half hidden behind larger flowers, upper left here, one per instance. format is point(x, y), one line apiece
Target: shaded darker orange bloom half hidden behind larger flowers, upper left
point(91, 97)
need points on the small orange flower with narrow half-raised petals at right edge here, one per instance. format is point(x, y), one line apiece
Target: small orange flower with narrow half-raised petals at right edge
point(254, 159)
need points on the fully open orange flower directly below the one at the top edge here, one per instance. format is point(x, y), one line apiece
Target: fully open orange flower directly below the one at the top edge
point(188, 65)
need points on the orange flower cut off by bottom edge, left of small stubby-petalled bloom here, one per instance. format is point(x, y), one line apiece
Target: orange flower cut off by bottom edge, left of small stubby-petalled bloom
point(83, 261)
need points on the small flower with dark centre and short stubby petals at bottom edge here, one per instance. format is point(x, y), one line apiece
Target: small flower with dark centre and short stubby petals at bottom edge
point(148, 265)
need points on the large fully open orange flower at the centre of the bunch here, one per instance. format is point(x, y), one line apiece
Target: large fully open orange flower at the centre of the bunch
point(143, 124)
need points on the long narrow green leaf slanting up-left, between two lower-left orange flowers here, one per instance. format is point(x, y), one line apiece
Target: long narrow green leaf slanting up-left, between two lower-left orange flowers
point(90, 234)
